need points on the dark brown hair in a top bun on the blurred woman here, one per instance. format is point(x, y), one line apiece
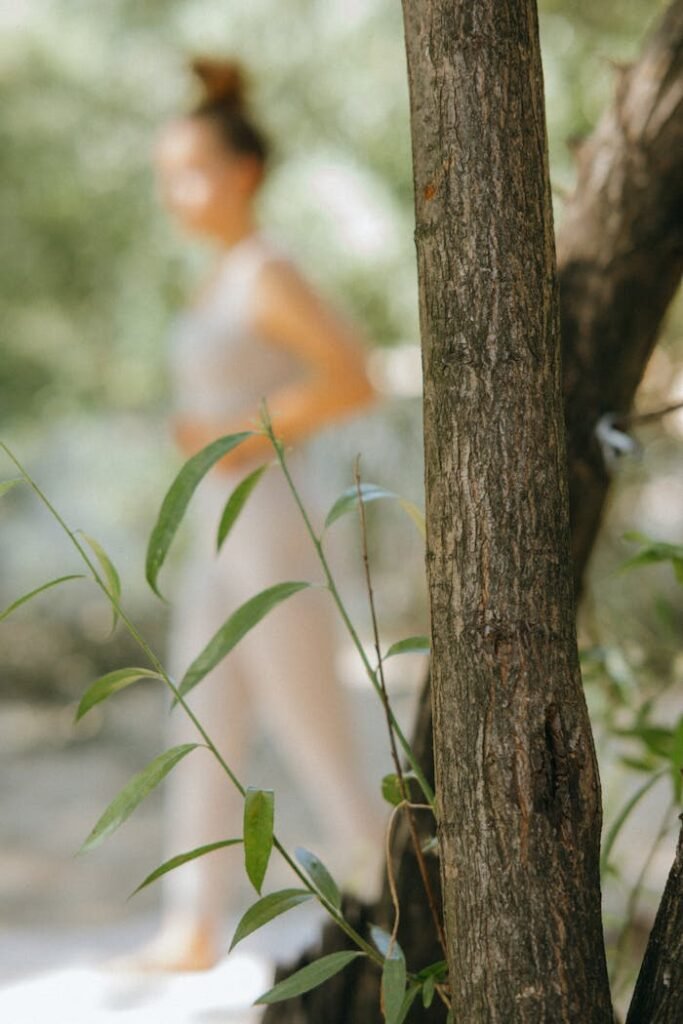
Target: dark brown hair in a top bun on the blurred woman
point(224, 88)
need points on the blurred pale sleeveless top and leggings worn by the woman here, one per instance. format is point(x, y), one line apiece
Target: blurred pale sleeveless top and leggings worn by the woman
point(282, 674)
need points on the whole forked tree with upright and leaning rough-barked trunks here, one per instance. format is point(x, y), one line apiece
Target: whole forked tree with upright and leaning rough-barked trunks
point(519, 793)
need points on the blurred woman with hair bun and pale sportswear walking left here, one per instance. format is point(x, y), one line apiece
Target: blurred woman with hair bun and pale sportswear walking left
point(257, 330)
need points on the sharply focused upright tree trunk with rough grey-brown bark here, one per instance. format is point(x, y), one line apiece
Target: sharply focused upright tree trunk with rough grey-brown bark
point(518, 782)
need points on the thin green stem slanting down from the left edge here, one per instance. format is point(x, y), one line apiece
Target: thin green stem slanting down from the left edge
point(159, 668)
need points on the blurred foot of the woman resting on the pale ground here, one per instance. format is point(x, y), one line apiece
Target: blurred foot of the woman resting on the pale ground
point(179, 947)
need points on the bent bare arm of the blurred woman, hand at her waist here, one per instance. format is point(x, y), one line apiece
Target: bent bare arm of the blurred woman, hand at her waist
point(290, 316)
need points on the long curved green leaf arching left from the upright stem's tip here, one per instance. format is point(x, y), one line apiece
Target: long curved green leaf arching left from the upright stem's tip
point(177, 501)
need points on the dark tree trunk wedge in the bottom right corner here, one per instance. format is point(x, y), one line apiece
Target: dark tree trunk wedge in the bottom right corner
point(659, 995)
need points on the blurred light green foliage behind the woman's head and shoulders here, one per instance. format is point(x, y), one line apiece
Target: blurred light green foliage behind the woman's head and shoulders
point(90, 269)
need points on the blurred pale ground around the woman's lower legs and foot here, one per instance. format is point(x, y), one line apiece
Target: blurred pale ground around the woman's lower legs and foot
point(63, 917)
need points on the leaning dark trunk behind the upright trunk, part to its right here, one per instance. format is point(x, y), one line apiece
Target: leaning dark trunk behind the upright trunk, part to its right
point(620, 254)
